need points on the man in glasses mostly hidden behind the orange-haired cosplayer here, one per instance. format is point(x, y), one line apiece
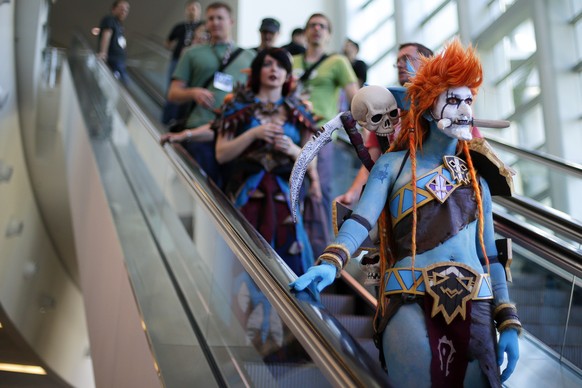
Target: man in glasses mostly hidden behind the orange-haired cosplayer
point(407, 62)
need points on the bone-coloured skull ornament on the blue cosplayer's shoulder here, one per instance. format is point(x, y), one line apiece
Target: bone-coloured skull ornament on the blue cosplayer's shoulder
point(375, 109)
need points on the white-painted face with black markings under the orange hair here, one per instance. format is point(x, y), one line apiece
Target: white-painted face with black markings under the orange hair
point(453, 113)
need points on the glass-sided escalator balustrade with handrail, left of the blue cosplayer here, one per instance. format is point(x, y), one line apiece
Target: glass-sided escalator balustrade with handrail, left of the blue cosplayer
point(212, 295)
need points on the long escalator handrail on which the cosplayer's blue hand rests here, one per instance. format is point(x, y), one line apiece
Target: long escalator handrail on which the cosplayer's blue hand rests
point(324, 339)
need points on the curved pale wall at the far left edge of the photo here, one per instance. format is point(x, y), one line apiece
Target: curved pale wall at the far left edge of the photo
point(36, 291)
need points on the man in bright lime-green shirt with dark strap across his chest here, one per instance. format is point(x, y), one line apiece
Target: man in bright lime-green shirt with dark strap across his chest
point(322, 89)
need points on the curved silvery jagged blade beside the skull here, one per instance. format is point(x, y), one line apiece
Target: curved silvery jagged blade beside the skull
point(308, 153)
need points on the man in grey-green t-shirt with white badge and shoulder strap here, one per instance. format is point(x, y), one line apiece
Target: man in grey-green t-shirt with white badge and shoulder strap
point(197, 79)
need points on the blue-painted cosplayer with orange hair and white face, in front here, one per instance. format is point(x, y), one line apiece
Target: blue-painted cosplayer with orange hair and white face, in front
point(443, 292)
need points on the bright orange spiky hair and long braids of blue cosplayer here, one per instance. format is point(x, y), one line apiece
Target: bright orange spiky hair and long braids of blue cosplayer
point(454, 67)
